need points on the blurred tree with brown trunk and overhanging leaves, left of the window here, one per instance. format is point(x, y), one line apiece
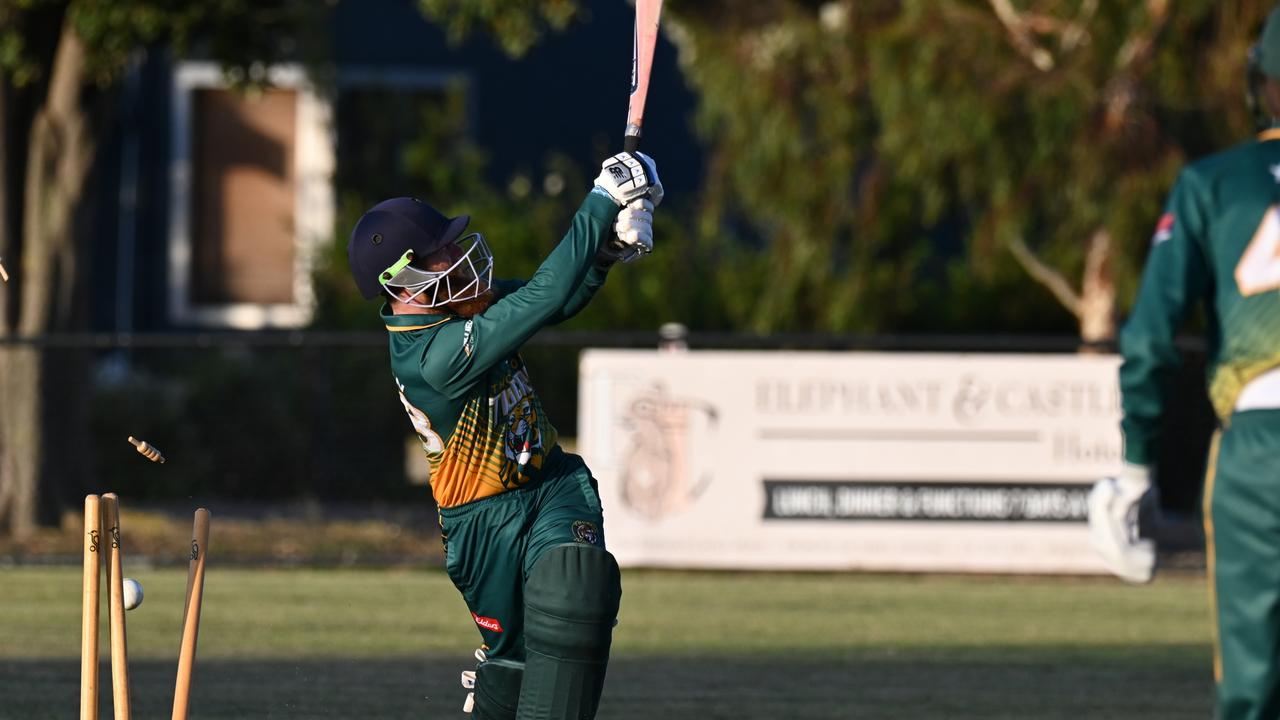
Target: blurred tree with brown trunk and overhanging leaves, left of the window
point(60, 66)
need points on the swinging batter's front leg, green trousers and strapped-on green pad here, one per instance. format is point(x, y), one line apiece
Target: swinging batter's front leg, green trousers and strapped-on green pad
point(573, 591)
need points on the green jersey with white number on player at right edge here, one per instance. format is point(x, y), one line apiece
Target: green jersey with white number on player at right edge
point(1218, 243)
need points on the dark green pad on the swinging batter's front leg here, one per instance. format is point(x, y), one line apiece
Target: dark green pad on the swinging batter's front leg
point(572, 601)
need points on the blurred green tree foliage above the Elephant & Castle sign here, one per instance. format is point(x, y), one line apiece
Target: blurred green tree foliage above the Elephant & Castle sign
point(851, 142)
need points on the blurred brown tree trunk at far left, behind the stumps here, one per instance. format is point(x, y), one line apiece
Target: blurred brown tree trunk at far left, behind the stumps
point(43, 417)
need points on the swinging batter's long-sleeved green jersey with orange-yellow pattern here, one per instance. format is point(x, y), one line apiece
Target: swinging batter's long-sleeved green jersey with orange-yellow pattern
point(464, 385)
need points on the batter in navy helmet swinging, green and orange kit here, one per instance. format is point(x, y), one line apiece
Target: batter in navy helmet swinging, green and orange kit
point(520, 518)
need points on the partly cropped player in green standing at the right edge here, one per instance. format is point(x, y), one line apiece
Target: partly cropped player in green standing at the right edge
point(1218, 247)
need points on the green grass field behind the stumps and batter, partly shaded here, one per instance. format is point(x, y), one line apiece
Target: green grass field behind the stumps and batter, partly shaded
point(391, 644)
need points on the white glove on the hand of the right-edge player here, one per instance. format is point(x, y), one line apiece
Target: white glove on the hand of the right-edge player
point(1114, 525)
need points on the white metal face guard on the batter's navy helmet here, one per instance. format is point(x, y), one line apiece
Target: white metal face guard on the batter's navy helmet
point(470, 277)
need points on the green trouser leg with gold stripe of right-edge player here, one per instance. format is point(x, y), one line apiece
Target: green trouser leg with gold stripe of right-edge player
point(1244, 532)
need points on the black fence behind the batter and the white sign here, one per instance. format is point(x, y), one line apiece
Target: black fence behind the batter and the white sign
point(286, 416)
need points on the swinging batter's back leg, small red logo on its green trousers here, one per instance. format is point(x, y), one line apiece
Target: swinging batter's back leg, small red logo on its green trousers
point(483, 558)
